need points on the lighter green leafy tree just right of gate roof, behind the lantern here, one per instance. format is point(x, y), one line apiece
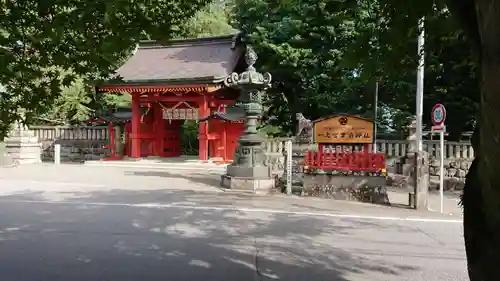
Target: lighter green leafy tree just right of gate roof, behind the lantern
point(302, 43)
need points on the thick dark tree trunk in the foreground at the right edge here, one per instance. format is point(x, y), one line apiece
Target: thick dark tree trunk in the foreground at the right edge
point(483, 234)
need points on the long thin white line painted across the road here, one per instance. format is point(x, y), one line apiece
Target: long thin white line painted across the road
point(241, 209)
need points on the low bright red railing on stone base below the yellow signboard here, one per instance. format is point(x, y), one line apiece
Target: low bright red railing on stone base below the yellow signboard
point(345, 161)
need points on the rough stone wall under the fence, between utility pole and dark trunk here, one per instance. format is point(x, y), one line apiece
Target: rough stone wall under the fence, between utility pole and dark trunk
point(455, 170)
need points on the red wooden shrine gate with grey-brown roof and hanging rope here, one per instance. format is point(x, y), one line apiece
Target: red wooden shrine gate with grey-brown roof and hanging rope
point(177, 81)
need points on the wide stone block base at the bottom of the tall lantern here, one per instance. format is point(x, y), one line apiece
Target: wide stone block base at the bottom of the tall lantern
point(257, 179)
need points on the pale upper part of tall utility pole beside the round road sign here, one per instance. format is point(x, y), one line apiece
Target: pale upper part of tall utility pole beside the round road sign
point(420, 85)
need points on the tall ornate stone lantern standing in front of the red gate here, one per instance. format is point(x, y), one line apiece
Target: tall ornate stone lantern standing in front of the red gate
point(248, 171)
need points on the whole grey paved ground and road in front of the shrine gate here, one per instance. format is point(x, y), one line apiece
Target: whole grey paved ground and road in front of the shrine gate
point(80, 223)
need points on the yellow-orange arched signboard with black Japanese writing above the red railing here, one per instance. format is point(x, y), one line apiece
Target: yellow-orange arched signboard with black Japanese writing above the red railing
point(343, 129)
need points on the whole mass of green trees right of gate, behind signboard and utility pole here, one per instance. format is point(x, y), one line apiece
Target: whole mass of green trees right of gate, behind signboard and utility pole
point(326, 56)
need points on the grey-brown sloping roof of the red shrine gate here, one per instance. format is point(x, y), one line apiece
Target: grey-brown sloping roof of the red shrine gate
point(190, 59)
